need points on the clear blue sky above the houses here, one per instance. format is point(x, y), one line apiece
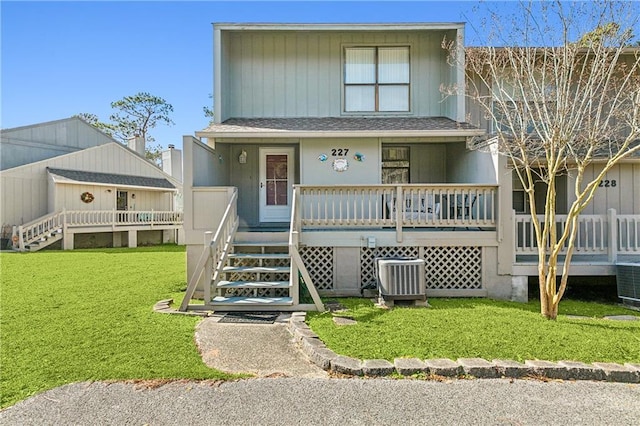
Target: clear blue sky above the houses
point(63, 58)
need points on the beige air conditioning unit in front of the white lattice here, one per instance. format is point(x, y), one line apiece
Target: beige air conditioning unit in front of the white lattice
point(402, 279)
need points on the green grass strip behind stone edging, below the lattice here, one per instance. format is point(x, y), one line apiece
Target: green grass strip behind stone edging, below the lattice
point(469, 328)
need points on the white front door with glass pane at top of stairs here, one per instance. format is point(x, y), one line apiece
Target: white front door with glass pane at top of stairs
point(268, 211)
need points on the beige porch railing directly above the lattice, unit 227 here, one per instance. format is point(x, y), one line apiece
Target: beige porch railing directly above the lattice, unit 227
point(399, 206)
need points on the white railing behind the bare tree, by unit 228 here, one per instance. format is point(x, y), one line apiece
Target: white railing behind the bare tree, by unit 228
point(606, 234)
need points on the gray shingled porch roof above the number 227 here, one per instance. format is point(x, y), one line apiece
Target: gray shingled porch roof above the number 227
point(338, 124)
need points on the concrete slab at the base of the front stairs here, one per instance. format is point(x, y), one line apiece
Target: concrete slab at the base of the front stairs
point(260, 349)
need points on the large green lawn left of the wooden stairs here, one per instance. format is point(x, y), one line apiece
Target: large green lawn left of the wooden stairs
point(87, 315)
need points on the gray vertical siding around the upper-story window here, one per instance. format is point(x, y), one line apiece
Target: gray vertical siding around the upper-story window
point(289, 74)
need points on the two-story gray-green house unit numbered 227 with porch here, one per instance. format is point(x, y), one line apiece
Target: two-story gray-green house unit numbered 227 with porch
point(332, 146)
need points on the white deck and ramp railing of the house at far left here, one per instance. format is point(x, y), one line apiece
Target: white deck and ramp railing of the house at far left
point(26, 234)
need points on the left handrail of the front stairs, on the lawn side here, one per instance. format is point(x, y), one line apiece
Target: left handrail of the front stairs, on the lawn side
point(214, 253)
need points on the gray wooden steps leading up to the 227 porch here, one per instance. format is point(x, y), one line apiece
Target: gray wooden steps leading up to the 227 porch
point(256, 277)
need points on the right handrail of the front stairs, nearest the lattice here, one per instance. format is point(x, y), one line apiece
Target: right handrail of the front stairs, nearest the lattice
point(297, 264)
